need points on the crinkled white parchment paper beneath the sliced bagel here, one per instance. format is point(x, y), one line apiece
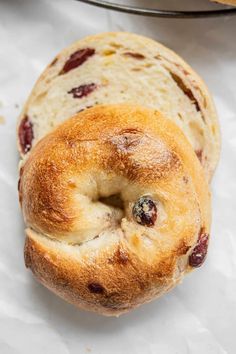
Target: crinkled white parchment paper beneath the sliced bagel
point(199, 316)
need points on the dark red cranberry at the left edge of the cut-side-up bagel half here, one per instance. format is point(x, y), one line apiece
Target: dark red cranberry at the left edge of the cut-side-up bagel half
point(26, 134)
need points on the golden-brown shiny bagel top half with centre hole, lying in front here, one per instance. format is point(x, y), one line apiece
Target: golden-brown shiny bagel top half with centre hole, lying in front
point(78, 190)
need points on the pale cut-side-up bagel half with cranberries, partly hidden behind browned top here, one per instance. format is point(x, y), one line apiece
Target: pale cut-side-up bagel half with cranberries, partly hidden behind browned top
point(121, 67)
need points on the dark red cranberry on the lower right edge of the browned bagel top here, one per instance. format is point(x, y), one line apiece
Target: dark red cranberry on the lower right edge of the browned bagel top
point(198, 255)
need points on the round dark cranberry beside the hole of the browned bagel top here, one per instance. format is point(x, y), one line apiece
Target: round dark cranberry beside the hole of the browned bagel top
point(145, 211)
